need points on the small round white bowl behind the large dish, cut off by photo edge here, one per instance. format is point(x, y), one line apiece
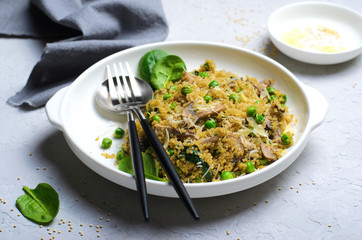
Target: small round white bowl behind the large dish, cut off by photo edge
point(344, 21)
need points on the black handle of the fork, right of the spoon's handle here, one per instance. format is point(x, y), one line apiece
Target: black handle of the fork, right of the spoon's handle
point(167, 164)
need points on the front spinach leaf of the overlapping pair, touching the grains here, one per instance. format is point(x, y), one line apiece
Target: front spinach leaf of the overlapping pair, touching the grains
point(169, 68)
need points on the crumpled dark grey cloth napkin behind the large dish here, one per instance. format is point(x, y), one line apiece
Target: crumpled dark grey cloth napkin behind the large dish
point(93, 29)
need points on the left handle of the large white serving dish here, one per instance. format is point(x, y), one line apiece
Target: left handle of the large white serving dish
point(52, 108)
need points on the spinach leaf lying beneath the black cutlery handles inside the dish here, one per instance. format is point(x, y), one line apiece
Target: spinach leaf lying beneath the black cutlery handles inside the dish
point(149, 164)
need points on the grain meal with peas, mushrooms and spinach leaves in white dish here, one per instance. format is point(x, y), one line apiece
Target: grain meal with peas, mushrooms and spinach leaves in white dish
point(214, 124)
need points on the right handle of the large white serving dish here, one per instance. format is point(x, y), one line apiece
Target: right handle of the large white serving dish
point(318, 106)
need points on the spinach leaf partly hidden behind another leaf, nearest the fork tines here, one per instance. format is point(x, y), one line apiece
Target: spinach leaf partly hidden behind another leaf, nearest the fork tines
point(147, 63)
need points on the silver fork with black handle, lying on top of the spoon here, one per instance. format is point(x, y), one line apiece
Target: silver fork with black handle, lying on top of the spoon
point(133, 97)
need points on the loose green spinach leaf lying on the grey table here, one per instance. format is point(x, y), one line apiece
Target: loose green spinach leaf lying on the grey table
point(39, 205)
